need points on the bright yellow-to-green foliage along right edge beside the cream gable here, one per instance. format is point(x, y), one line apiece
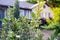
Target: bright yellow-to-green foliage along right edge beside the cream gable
point(54, 24)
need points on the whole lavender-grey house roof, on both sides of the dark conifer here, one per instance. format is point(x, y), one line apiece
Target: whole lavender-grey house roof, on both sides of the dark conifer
point(22, 4)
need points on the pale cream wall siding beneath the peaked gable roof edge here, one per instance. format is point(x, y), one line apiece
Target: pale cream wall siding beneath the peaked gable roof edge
point(46, 12)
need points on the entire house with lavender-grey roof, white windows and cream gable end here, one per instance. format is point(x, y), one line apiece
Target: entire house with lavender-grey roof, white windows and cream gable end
point(25, 9)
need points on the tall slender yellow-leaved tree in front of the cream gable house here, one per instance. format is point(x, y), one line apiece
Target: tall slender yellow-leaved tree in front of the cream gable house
point(36, 22)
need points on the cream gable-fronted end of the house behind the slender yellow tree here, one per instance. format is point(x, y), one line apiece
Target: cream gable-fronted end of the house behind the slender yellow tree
point(46, 11)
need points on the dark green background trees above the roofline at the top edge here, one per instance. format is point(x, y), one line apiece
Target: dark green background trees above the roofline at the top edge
point(54, 3)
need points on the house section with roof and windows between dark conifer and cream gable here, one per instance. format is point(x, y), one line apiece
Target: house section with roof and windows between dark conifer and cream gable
point(25, 9)
